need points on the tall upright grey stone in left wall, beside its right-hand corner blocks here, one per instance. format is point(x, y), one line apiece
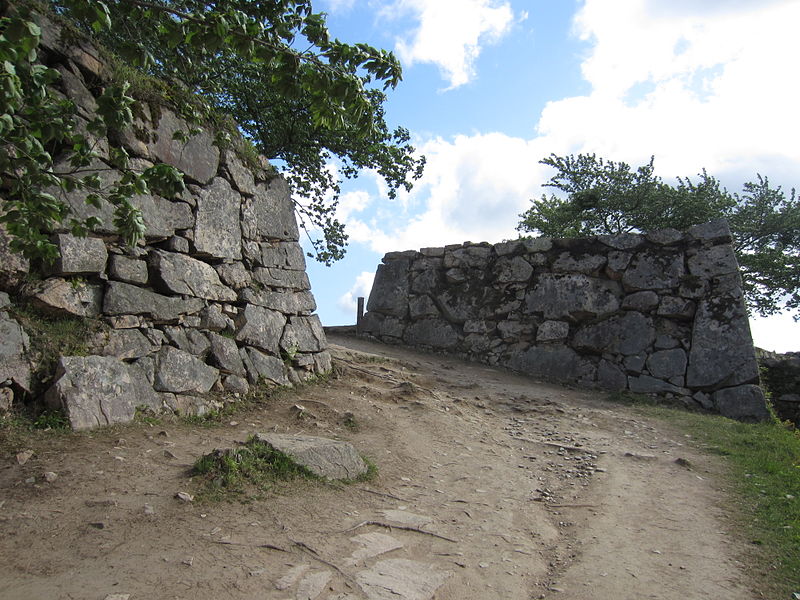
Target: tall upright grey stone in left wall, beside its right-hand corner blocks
point(218, 229)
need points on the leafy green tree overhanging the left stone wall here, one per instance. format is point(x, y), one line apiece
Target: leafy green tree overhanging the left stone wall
point(298, 96)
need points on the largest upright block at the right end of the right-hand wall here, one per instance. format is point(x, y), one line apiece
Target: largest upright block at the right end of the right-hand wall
point(722, 350)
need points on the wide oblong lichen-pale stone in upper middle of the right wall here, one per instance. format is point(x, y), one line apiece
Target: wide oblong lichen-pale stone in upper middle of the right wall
point(573, 296)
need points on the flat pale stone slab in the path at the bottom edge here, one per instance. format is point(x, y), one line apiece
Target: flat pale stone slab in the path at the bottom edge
point(401, 579)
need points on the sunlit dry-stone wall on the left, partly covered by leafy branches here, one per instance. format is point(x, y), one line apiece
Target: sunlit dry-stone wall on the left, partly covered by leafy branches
point(216, 298)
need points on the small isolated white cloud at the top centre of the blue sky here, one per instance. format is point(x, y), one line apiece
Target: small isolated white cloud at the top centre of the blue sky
point(452, 33)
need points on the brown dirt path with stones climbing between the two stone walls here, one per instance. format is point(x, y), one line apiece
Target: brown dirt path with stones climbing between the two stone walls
point(490, 486)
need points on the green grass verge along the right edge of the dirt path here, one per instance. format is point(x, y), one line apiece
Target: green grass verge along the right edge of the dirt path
point(763, 468)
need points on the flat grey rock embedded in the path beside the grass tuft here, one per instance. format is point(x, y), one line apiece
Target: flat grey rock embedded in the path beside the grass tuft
point(332, 459)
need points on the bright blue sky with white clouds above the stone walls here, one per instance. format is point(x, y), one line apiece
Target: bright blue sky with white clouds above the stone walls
point(491, 87)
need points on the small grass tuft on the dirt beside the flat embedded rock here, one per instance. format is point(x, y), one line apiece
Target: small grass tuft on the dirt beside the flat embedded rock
point(245, 473)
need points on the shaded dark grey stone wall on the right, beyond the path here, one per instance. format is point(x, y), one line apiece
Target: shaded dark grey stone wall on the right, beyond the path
point(660, 313)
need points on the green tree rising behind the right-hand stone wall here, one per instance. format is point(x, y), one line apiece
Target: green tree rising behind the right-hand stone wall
point(607, 197)
